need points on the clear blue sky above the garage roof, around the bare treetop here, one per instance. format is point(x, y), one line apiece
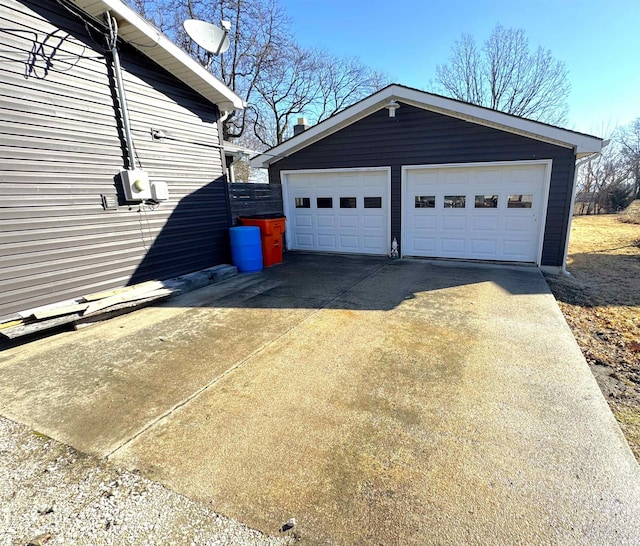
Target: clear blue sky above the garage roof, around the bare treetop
point(598, 40)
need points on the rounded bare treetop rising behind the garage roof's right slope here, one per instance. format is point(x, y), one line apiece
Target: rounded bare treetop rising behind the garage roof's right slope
point(506, 75)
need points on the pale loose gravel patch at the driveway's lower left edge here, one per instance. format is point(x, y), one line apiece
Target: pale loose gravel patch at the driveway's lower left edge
point(52, 494)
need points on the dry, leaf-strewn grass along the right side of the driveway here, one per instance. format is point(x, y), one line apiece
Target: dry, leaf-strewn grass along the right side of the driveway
point(601, 302)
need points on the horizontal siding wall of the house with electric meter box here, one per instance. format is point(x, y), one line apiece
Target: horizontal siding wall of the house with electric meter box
point(61, 148)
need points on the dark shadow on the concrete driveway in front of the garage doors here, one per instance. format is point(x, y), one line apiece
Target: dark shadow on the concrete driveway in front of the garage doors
point(307, 280)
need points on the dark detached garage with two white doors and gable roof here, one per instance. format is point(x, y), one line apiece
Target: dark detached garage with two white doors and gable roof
point(445, 178)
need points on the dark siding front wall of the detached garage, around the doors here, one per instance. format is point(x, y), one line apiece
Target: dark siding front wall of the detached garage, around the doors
point(419, 137)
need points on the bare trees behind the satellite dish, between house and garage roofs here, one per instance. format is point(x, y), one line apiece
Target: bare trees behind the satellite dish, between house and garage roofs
point(265, 66)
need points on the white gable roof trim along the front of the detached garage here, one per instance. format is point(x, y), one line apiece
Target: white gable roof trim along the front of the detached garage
point(584, 144)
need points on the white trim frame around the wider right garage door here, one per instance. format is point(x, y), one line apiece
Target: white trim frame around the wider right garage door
point(548, 163)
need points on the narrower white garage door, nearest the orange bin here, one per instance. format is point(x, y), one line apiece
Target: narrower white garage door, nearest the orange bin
point(338, 211)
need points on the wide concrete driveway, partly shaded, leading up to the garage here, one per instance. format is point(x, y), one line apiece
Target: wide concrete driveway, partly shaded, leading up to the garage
point(376, 402)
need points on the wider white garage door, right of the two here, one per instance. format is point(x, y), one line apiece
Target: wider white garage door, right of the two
point(493, 212)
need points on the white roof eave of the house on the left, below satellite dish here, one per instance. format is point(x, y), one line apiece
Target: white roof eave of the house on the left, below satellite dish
point(147, 39)
